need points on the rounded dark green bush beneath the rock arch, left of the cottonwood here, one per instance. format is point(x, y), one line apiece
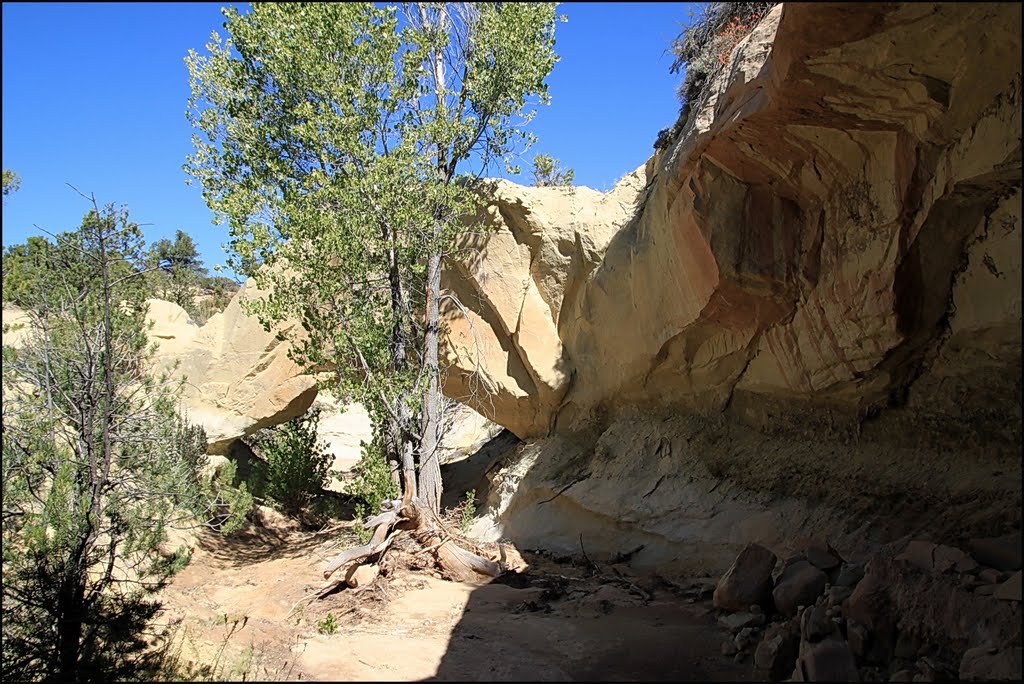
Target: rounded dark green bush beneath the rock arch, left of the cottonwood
point(295, 466)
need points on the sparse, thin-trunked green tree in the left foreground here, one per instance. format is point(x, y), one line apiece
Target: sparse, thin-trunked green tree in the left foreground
point(97, 465)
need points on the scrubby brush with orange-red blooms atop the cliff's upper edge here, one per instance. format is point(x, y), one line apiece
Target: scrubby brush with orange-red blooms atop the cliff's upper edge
point(704, 48)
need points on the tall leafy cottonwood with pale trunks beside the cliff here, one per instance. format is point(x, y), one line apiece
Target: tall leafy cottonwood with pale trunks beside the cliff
point(342, 143)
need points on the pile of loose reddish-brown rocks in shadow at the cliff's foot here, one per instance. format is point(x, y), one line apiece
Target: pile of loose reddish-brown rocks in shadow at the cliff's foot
point(930, 613)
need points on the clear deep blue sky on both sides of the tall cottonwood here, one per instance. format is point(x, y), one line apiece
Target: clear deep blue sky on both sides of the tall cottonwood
point(95, 95)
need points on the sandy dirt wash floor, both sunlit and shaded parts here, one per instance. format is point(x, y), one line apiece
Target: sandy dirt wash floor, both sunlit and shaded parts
point(549, 622)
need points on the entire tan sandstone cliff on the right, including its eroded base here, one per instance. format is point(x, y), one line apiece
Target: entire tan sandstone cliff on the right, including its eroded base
point(802, 317)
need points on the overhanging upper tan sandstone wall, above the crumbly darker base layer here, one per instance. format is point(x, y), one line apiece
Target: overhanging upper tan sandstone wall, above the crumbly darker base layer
point(837, 227)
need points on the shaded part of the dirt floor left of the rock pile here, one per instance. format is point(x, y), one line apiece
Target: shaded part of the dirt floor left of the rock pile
point(575, 622)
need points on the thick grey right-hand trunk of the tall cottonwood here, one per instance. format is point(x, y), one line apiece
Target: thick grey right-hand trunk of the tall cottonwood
point(431, 473)
